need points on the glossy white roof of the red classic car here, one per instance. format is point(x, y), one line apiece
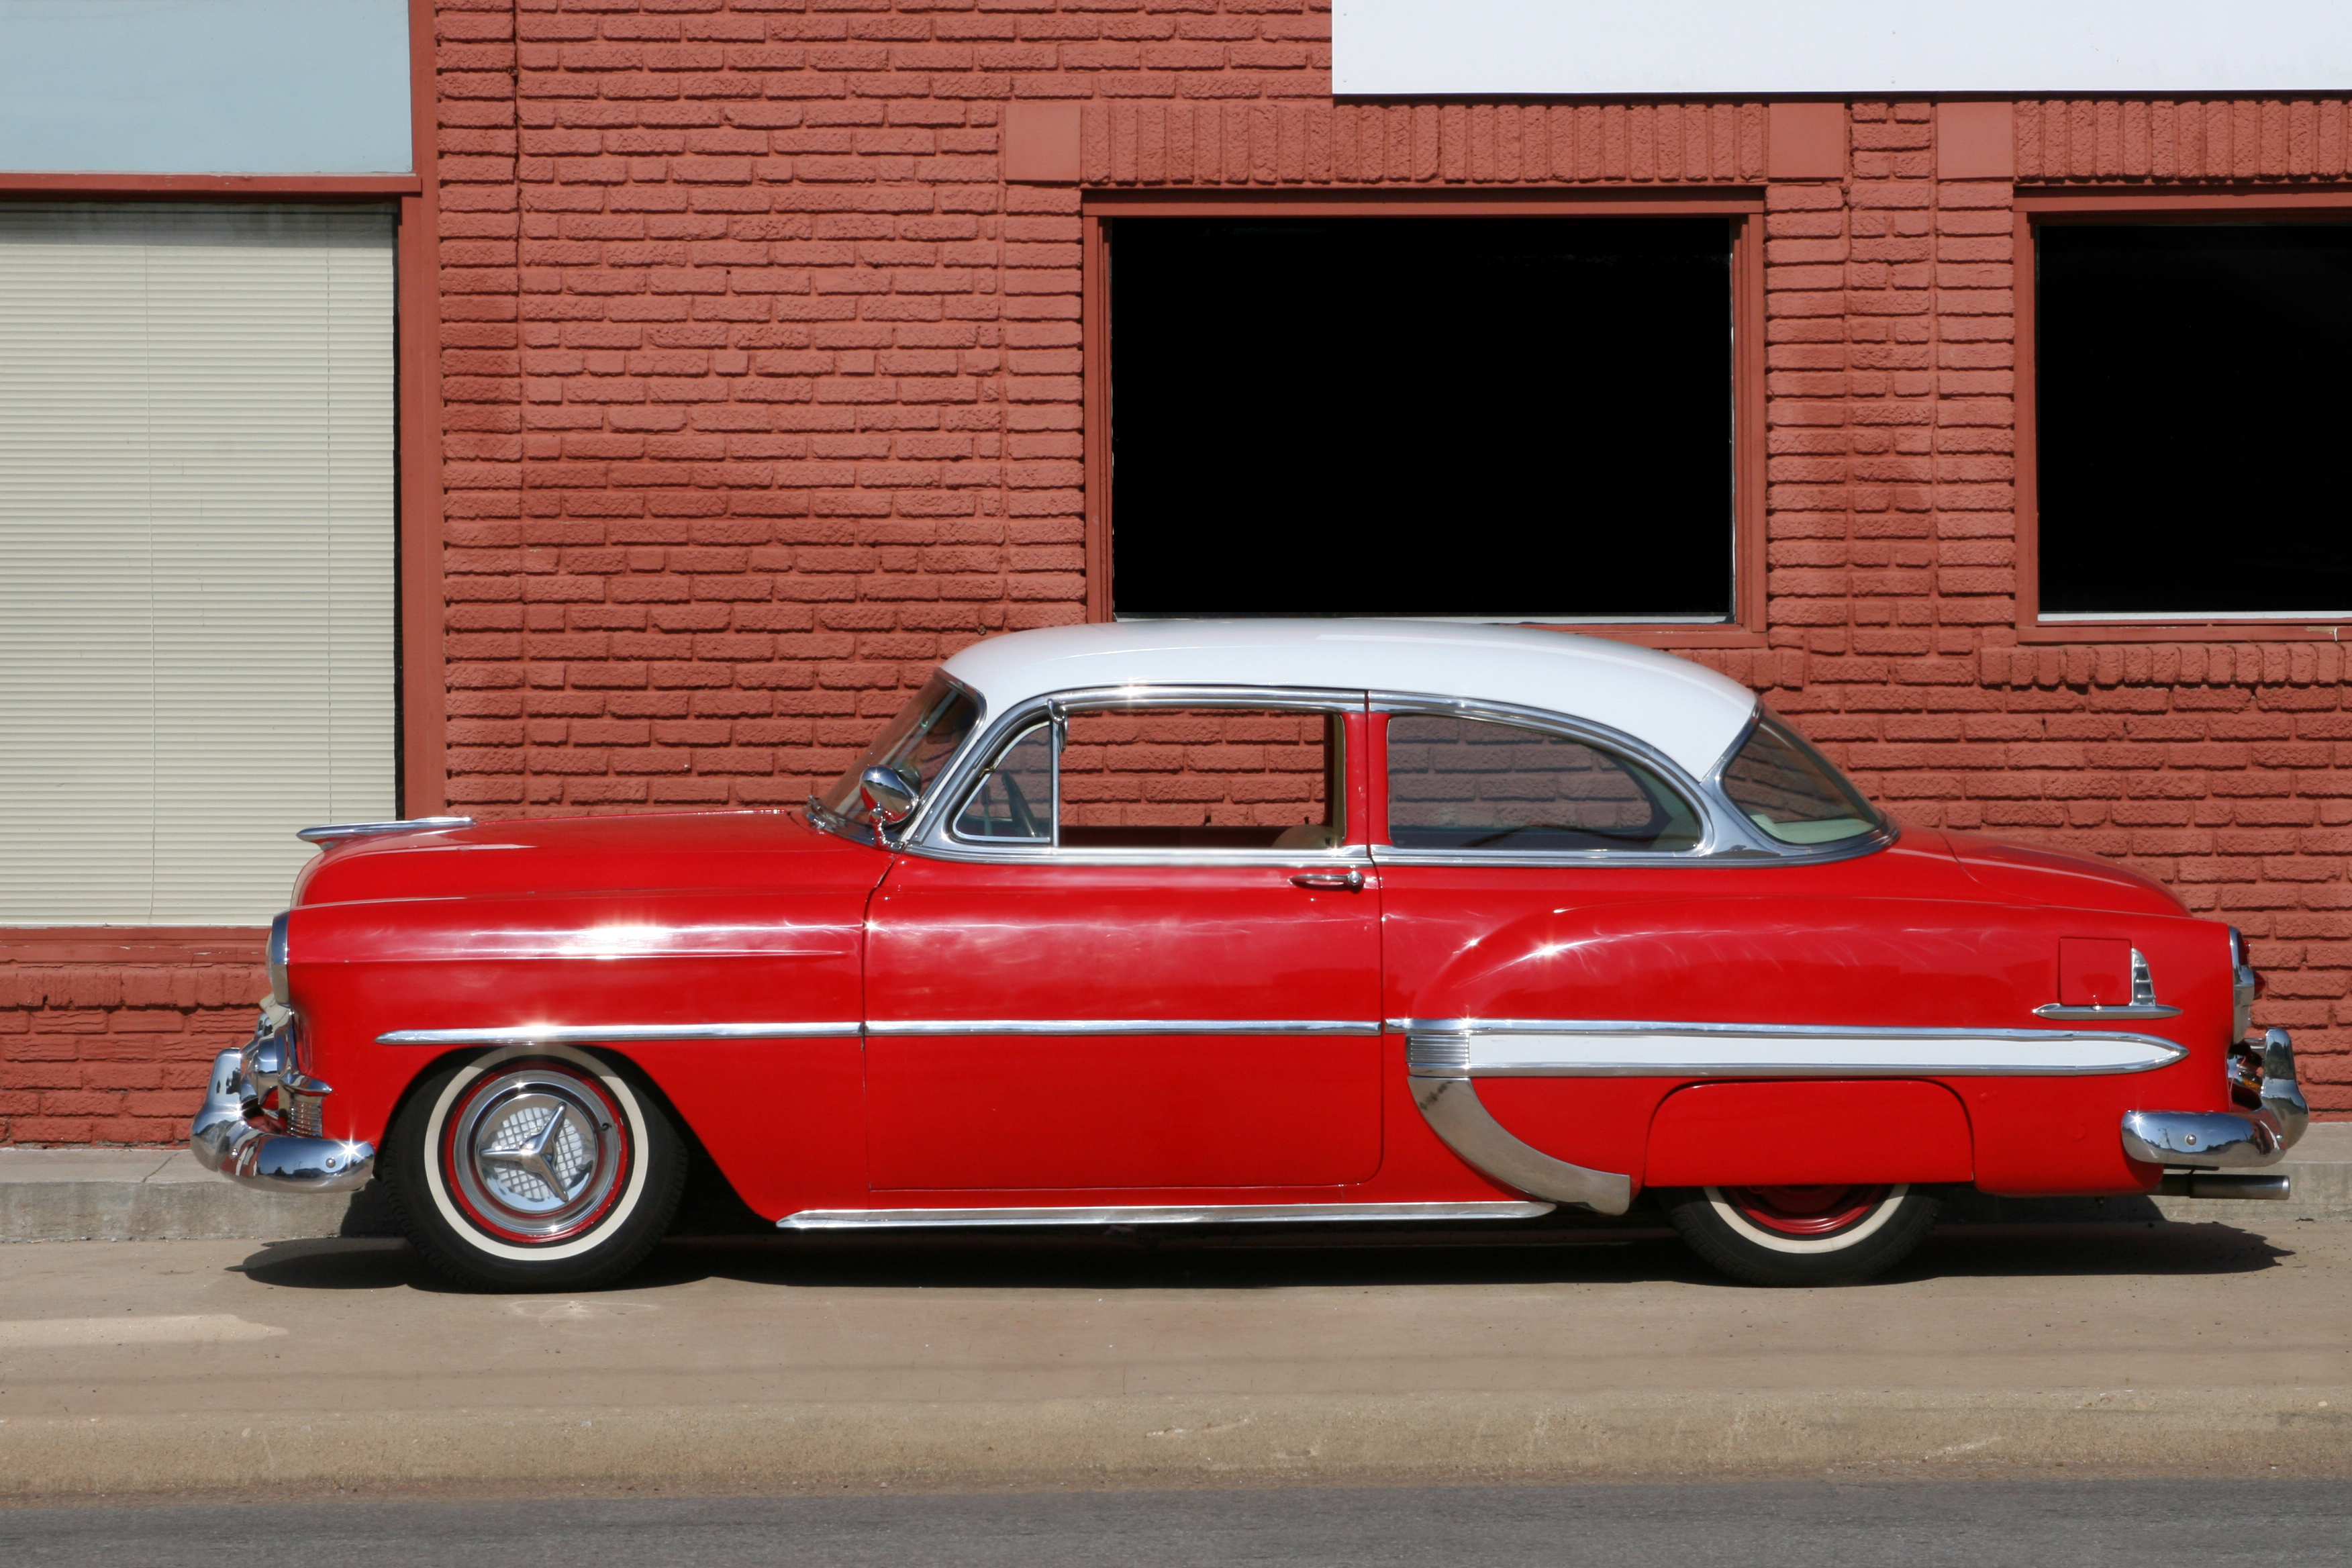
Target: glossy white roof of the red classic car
point(1685, 711)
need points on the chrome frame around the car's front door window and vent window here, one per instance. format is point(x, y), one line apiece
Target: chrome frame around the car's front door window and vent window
point(930, 831)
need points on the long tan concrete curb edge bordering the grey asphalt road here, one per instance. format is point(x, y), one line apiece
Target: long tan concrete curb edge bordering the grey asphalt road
point(1191, 1442)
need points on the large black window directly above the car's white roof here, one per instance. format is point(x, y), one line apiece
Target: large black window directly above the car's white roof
point(1426, 417)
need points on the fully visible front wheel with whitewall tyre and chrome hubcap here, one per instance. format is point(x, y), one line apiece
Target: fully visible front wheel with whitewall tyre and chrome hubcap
point(535, 1170)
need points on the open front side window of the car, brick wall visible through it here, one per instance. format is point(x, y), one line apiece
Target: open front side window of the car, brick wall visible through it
point(1201, 779)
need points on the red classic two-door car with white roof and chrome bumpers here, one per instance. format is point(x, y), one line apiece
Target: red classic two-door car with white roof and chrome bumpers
point(1241, 923)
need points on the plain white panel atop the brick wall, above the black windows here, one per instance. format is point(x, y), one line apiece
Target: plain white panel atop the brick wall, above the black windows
point(1840, 48)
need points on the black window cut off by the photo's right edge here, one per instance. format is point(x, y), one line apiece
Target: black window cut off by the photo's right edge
point(2193, 401)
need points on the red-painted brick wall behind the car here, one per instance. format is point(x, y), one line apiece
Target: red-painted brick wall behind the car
point(763, 396)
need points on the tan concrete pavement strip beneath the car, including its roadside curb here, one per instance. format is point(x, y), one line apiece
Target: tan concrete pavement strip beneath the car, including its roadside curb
point(968, 1362)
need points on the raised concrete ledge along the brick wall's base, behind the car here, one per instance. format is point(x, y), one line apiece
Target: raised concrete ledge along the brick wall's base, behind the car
point(163, 1195)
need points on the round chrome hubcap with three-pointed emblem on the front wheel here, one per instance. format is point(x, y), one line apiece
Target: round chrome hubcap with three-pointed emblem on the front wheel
point(535, 1151)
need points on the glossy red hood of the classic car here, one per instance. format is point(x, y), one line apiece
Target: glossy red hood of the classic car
point(728, 852)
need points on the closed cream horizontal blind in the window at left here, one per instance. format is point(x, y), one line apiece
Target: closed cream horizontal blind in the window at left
point(196, 554)
